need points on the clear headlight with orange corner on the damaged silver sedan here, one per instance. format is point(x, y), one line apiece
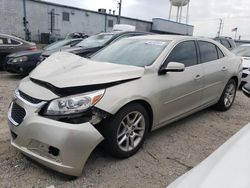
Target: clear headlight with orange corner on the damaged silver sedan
point(74, 104)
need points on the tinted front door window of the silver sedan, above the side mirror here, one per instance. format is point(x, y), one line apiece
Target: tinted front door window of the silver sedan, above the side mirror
point(185, 53)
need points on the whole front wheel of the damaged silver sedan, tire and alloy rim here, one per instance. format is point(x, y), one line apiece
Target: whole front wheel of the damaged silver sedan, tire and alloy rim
point(119, 132)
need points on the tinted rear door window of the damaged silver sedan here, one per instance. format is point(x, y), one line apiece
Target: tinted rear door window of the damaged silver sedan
point(208, 51)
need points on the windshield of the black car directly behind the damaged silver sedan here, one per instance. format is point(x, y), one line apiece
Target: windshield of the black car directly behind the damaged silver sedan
point(96, 40)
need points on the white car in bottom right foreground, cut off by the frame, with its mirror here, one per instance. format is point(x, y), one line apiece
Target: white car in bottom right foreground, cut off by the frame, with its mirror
point(227, 167)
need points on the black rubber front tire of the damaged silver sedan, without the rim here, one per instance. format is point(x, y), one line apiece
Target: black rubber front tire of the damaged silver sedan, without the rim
point(113, 125)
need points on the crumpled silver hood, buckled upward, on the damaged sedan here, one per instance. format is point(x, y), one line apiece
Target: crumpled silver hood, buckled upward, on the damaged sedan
point(64, 70)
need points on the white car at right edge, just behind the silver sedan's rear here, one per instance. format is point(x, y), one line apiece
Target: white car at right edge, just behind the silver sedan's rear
point(244, 52)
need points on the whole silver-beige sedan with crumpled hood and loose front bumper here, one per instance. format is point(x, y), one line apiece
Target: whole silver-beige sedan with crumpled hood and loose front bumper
point(69, 104)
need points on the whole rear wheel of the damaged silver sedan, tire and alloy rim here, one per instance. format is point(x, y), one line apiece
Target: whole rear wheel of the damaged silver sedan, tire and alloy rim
point(227, 97)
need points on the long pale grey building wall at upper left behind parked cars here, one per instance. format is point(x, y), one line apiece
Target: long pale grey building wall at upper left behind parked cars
point(39, 18)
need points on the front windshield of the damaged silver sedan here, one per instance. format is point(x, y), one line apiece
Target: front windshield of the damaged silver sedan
point(135, 52)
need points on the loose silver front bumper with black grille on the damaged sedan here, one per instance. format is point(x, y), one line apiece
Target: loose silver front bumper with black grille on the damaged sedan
point(61, 146)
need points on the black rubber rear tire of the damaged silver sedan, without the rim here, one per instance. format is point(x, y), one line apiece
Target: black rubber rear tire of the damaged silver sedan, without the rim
point(221, 105)
